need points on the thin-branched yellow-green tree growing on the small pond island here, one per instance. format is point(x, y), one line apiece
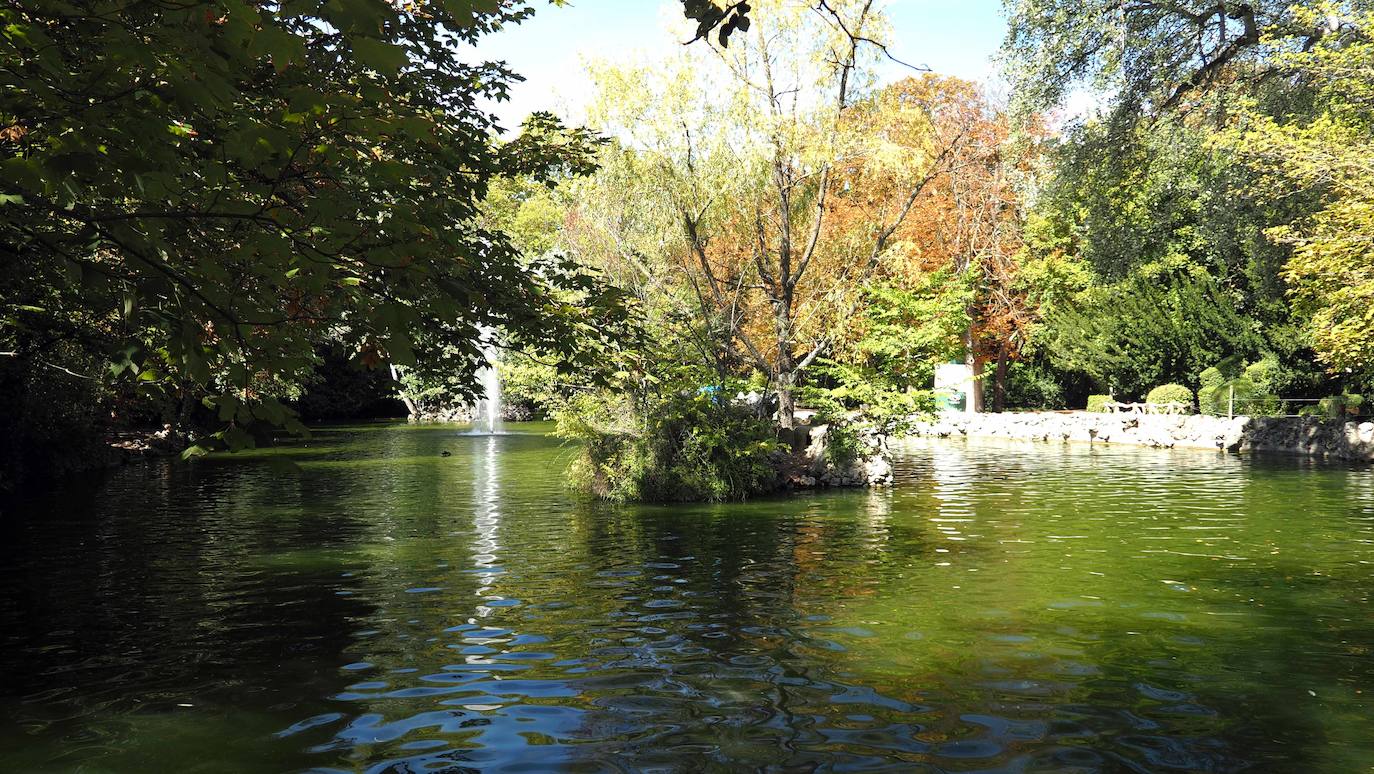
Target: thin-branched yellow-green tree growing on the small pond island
point(743, 155)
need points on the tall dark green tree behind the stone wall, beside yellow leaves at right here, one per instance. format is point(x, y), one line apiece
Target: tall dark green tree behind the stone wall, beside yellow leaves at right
point(1145, 185)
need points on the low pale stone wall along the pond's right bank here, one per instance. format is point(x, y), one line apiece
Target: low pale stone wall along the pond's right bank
point(1292, 435)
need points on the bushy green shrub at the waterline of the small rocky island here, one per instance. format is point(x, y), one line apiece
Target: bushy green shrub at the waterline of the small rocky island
point(675, 447)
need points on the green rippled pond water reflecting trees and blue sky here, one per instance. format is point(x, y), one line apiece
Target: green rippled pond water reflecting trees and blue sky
point(1004, 608)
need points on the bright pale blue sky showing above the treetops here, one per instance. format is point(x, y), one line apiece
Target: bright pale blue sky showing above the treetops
point(956, 38)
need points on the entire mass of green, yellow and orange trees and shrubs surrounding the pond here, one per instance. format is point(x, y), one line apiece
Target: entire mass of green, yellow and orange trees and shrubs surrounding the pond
point(221, 215)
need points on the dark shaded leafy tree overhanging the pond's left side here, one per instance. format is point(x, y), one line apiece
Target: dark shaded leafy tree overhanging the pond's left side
point(203, 192)
